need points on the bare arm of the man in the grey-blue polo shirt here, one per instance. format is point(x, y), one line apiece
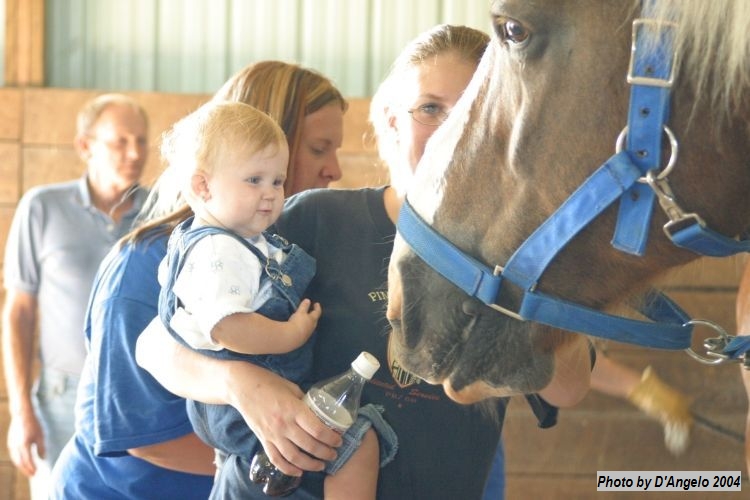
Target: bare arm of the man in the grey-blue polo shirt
point(19, 327)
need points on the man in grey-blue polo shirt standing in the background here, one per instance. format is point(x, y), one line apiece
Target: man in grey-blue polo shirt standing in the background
point(59, 235)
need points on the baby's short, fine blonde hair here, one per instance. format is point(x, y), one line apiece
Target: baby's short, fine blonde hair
point(216, 132)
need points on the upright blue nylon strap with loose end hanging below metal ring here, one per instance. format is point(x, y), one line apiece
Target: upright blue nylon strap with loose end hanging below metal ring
point(649, 111)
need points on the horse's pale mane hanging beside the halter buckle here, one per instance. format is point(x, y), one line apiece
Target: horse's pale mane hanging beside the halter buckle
point(714, 47)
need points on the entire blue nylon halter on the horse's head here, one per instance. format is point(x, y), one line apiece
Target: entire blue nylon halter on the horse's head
point(630, 176)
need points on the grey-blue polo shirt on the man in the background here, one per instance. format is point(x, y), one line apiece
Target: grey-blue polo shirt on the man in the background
point(56, 241)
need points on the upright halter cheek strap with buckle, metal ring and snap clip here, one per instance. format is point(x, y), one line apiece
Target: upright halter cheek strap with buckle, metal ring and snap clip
point(651, 76)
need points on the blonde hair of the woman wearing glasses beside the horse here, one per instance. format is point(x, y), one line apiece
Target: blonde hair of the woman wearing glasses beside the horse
point(468, 43)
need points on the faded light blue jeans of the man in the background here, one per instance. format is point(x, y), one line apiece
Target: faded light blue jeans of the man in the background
point(54, 401)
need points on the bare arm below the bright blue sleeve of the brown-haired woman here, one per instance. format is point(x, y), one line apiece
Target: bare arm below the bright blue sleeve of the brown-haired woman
point(184, 454)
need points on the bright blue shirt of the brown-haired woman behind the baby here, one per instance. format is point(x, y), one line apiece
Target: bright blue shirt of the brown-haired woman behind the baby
point(120, 406)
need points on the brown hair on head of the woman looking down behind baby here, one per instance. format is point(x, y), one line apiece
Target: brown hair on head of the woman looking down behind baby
point(288, 93)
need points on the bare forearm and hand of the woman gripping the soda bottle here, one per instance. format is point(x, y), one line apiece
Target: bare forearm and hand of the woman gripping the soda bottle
point(272, 406)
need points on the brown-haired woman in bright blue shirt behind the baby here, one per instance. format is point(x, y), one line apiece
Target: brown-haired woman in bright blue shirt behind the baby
point(133, 438)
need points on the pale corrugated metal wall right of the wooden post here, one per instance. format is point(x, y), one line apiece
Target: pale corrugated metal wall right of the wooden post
point(195, 45)
